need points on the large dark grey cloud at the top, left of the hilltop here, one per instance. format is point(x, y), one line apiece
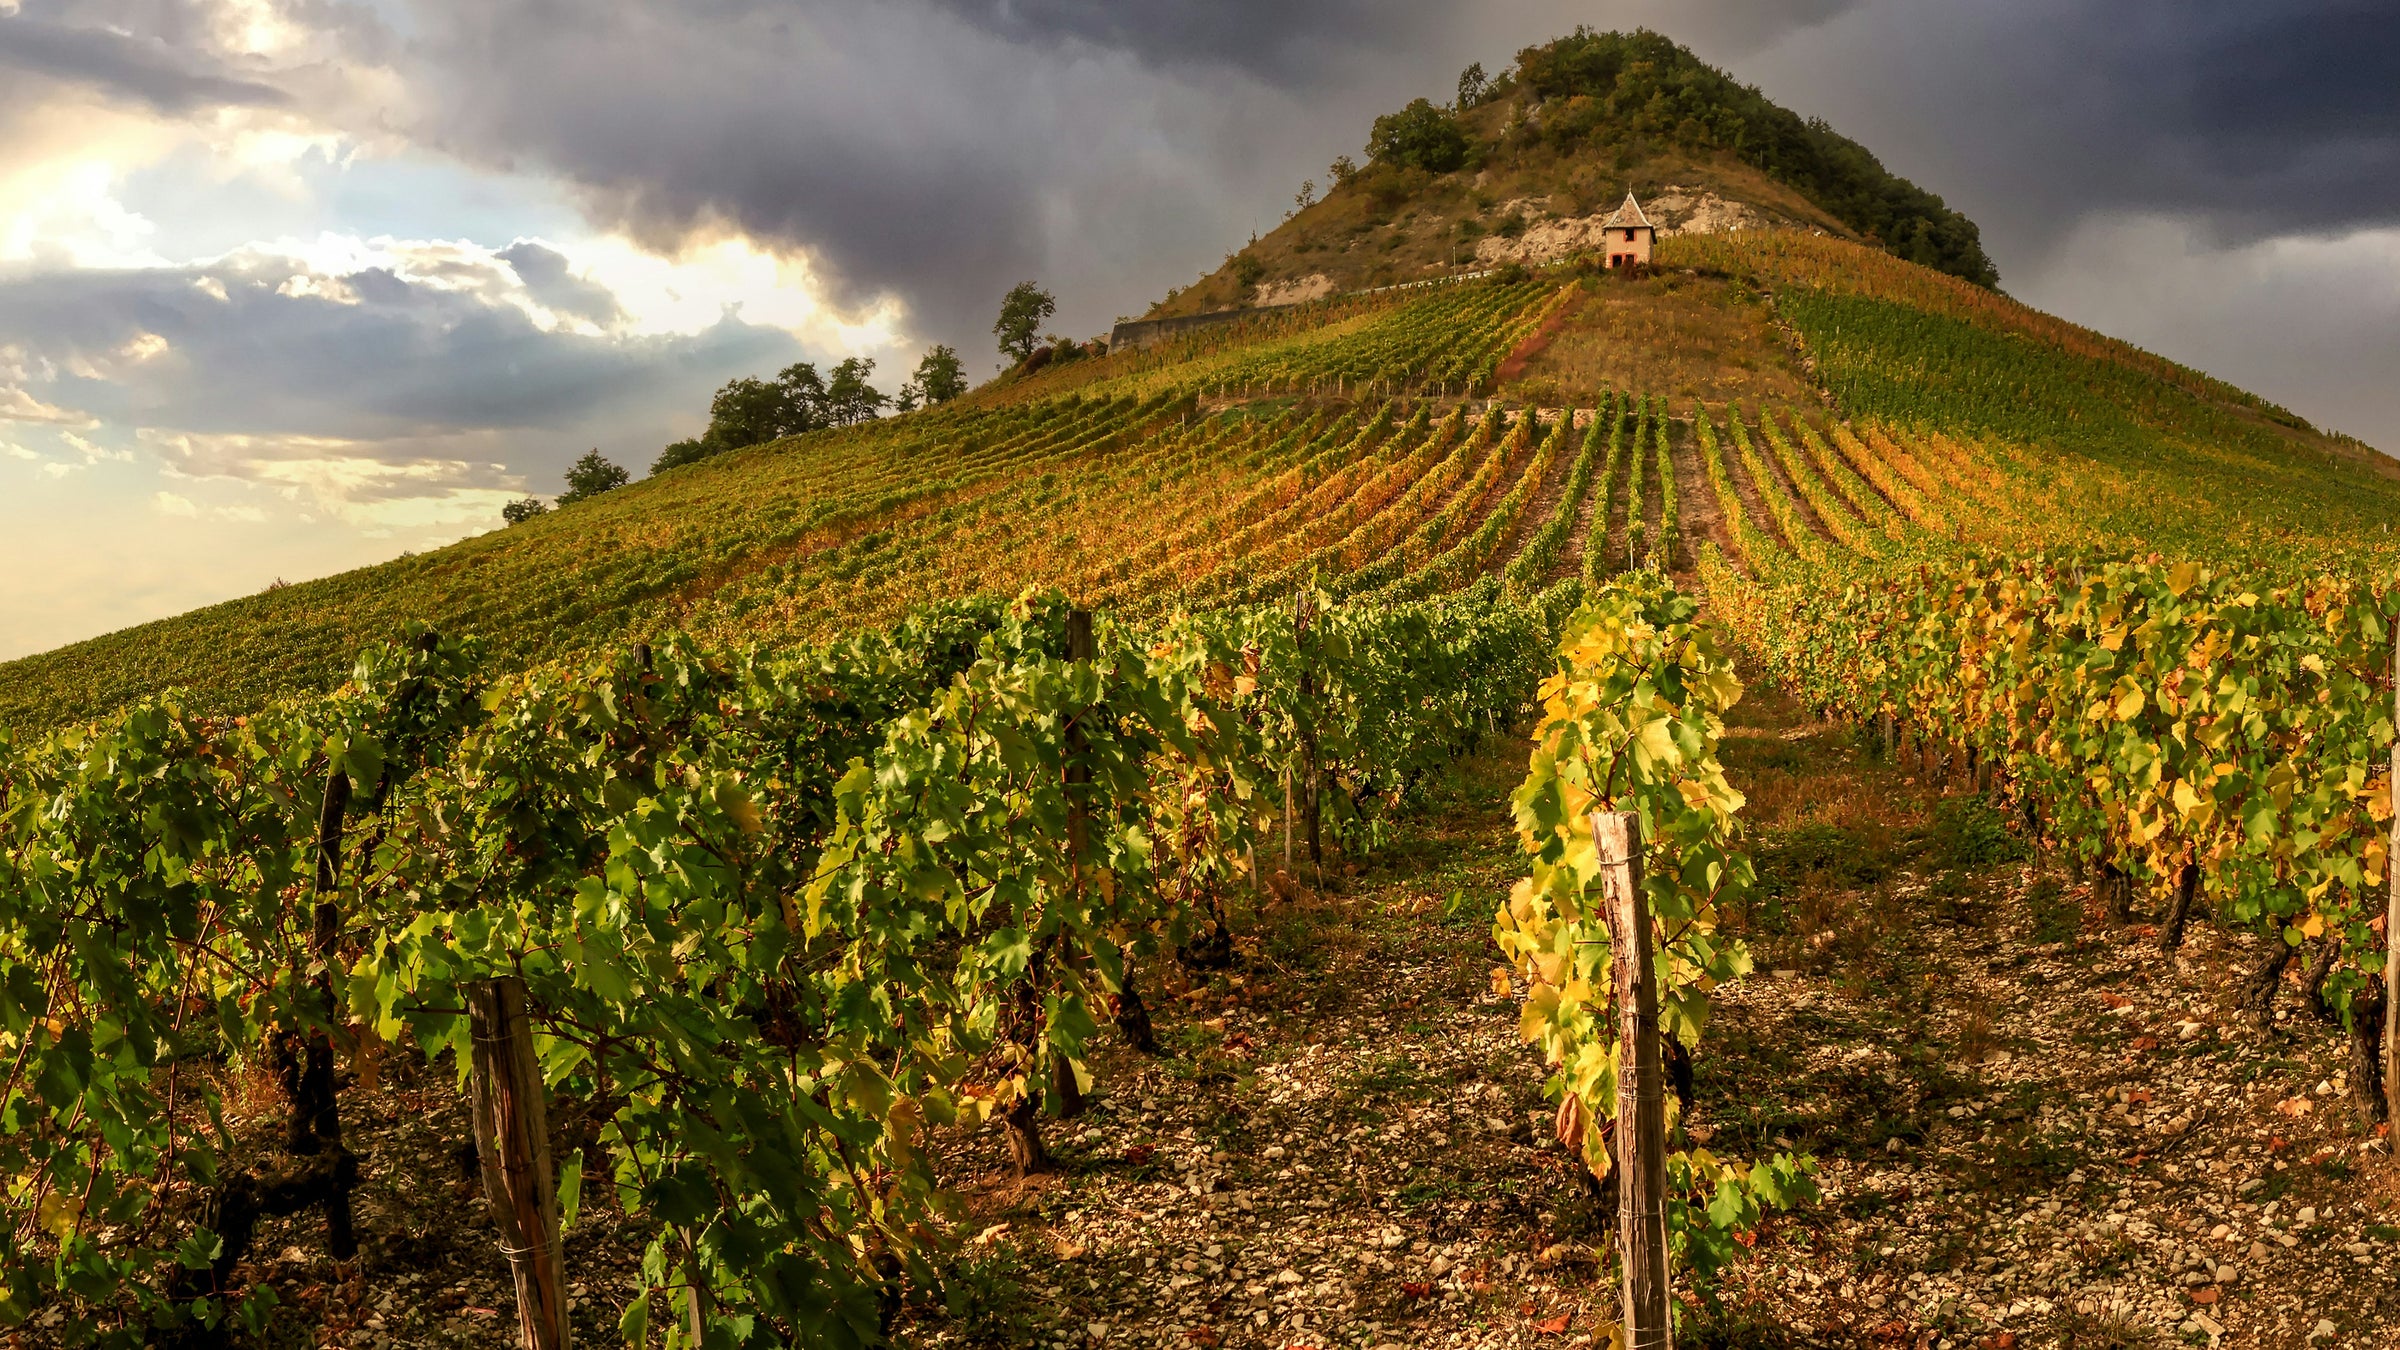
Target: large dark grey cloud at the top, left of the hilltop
point(913, 150)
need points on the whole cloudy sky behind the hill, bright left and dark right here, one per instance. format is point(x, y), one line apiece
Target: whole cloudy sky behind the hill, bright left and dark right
point(292, 287)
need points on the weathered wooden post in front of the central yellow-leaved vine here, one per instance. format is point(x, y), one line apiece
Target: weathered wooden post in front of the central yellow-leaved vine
point(1640, 1085)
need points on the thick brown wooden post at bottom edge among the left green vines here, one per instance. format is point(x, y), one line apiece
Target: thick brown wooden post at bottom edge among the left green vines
point(512, 1135)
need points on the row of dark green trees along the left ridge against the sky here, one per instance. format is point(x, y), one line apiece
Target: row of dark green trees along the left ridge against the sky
point(803, 400)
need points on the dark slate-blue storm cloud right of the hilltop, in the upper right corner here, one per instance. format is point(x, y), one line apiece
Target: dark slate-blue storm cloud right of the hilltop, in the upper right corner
point(2250, 119)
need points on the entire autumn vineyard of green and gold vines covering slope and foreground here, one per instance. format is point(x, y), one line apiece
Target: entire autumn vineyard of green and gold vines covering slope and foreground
point(796, 820)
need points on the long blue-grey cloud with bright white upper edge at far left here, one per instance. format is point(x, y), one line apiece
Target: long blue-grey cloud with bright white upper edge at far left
point(392, 359)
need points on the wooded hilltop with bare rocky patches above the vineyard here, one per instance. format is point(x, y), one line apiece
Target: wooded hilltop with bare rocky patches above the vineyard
point(1525, 167)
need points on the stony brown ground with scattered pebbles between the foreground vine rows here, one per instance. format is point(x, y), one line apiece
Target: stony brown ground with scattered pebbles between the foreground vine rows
point(2032, 1128)
